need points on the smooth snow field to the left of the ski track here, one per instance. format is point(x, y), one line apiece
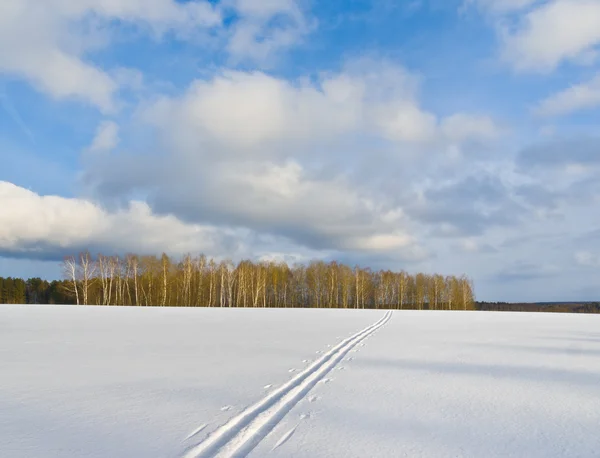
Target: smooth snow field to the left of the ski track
point(134, 382)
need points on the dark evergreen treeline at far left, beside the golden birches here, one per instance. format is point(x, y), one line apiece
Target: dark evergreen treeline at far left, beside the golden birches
point(33, 291)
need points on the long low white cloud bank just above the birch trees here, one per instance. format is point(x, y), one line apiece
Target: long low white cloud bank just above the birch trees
point(47, 227)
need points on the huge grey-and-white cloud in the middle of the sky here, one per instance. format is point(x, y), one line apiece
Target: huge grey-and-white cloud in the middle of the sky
point(249, 150)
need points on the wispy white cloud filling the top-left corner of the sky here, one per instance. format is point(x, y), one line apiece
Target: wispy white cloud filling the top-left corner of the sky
point(48, 50)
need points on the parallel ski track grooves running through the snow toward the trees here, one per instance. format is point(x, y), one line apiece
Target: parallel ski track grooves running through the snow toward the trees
point(243, 432)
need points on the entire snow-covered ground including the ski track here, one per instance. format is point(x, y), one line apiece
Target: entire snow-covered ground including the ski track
point(139, 382)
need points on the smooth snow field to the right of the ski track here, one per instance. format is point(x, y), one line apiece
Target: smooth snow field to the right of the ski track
point(457, 384)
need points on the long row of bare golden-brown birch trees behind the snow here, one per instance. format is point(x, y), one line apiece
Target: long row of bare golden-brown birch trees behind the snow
point(199, 281)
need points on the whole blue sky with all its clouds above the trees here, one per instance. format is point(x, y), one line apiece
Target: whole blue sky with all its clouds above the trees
point(447, 136)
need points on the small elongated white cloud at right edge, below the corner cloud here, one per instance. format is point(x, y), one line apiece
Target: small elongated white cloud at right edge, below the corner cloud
point(575, 98)
